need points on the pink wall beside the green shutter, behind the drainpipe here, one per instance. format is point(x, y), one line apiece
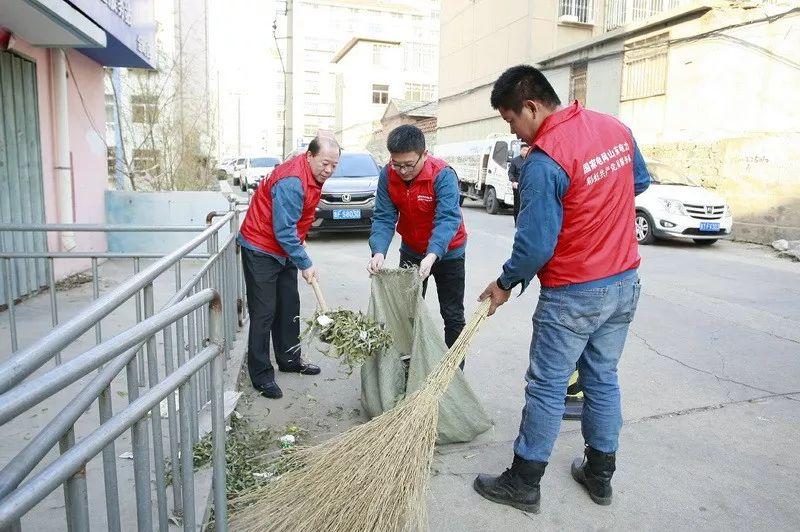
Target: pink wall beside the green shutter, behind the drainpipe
point(87, 147)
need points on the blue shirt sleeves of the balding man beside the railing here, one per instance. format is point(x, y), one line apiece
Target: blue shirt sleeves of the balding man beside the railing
point(287, 207)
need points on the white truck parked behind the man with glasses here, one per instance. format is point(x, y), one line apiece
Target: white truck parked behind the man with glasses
point(482, 168)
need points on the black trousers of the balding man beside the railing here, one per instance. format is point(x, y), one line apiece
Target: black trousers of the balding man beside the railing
point(273, 302)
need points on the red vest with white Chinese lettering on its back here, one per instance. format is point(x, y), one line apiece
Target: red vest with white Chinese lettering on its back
point(597, 237)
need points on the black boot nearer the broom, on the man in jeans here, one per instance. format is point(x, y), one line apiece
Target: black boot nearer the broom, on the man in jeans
point(518, 486)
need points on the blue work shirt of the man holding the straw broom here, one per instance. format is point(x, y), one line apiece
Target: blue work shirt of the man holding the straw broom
point(542, 214)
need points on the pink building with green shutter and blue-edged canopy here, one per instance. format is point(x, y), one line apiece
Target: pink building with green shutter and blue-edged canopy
point(52, 109)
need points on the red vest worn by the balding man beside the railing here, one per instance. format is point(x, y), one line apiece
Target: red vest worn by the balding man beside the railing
point(257, 226)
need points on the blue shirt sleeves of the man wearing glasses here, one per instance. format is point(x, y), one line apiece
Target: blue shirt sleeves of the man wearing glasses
point(446, 221)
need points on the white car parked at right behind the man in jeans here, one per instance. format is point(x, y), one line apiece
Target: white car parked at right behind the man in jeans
point(675, 206)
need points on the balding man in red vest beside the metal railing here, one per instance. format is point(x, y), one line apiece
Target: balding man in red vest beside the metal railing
point(280, 215)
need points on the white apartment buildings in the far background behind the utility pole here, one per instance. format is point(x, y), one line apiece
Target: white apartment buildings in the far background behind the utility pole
point(324, 28)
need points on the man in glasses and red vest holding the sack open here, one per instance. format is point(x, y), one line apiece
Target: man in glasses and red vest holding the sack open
point(418, 195)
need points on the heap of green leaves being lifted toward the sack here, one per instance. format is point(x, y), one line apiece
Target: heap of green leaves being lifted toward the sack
point(352, 336)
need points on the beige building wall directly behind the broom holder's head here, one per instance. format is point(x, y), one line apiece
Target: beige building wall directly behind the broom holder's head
point(479, 41)
